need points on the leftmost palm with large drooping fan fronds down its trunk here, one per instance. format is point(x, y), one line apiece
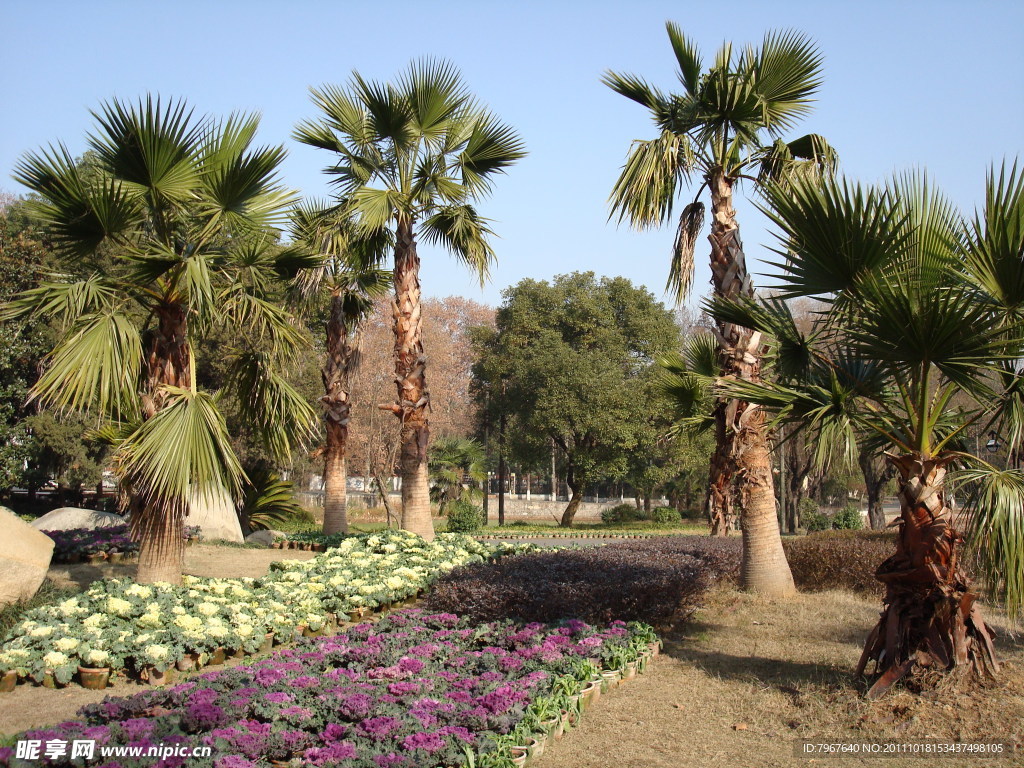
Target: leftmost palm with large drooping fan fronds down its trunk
point(167, 231)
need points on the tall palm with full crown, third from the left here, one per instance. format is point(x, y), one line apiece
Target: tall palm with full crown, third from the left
point(414, 156)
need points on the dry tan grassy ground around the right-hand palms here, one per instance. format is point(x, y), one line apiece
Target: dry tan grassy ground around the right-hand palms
point(750, 679)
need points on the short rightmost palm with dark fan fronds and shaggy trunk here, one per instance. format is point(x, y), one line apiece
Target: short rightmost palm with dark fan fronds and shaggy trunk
point(924, 312)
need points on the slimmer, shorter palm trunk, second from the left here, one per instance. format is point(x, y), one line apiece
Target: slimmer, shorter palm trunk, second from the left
point(337, 410)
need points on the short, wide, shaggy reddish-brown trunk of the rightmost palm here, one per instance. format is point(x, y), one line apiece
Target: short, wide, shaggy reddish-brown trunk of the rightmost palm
point(931, 619)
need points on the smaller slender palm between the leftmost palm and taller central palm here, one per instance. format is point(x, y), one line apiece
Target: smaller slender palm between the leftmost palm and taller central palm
point(347, 274)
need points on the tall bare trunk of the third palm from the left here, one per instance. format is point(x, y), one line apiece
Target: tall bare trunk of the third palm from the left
point(414, 399)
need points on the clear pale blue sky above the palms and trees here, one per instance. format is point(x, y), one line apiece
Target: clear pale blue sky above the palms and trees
point(935, 84)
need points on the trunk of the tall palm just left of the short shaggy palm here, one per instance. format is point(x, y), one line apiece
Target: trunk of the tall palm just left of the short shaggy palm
point(742, 458)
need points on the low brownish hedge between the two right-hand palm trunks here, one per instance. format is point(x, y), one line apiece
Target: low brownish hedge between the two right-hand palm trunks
point(839, 560)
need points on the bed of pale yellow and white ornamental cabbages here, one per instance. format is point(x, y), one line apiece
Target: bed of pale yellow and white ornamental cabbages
point(147, 629)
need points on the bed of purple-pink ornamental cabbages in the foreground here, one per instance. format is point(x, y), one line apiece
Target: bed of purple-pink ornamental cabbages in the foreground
point(416, 690)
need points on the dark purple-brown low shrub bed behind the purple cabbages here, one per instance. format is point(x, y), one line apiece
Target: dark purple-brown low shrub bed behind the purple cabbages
point(652, 581)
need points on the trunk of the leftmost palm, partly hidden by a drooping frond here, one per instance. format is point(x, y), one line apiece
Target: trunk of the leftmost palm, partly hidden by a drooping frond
point(158, 524)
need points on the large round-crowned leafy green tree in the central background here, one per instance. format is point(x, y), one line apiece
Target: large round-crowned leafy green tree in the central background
point(570, 359)
